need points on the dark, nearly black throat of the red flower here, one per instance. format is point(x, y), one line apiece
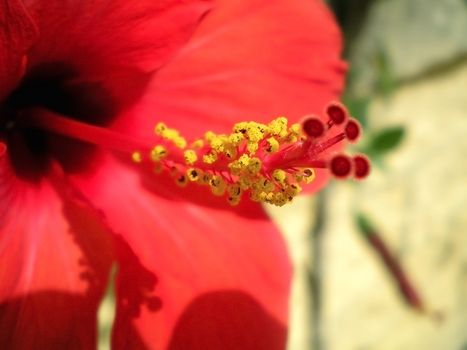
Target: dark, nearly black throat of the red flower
point(54, 87)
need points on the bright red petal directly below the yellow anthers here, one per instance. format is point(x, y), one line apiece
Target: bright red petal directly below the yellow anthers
point(222, 274)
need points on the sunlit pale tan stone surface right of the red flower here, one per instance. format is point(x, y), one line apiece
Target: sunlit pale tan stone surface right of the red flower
point(419, 202)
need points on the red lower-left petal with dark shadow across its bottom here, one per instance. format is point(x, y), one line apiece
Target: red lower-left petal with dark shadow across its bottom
point(54, 261)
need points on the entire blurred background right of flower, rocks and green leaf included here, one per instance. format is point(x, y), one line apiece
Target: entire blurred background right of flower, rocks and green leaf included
point(408, 86)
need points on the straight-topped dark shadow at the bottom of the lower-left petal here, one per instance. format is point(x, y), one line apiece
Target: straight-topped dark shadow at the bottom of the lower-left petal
point(47, 320)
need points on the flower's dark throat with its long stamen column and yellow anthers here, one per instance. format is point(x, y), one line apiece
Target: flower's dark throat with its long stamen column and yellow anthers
point(268, 162)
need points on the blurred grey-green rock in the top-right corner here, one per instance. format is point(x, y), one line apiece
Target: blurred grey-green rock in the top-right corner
point(415, 37)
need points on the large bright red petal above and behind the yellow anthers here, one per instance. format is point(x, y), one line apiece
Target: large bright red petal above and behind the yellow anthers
point(248, 60)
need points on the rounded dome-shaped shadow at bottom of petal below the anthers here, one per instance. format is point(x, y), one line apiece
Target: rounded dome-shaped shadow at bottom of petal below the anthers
point(227, 320)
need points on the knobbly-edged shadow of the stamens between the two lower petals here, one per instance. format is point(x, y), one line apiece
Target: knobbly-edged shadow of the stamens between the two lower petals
point(101, 247)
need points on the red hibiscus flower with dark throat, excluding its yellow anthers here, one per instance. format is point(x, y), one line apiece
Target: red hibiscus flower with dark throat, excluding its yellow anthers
point(193, 272)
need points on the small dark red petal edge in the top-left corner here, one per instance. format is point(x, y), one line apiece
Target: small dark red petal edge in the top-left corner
point(17, 31)
